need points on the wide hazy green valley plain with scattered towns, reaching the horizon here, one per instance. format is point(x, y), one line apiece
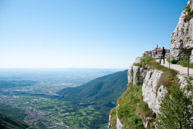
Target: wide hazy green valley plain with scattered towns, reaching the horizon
point(33, 98)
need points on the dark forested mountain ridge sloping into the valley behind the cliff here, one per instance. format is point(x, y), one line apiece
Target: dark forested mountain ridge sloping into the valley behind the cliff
point(101, 91)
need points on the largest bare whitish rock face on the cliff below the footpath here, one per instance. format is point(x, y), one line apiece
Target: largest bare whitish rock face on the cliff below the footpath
point(151, 91)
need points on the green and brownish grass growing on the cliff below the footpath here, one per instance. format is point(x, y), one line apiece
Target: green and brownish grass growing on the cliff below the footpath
point(132, 109)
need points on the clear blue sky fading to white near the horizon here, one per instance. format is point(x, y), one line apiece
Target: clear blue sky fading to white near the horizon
point(83, 33)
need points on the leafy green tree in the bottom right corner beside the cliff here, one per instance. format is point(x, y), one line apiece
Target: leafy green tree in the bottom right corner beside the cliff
point(176, 109)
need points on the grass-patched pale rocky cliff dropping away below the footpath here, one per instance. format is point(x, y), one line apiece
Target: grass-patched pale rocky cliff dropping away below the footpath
point(148, 83)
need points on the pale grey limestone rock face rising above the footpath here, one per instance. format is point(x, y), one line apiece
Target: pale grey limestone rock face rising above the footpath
point(182, 37)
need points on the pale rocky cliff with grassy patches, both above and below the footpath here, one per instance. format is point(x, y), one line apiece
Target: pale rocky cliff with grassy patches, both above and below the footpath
point(149, 82)
